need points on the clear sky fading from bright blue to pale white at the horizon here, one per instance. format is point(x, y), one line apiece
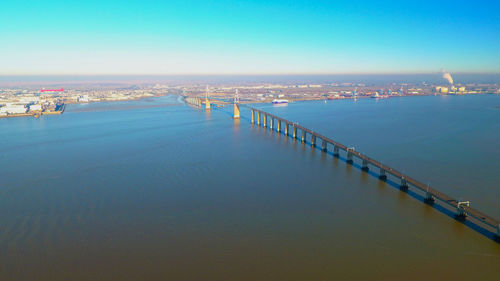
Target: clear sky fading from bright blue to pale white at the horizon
point(248, 37)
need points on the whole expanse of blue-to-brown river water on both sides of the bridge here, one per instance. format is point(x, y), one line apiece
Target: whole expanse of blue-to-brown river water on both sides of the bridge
point(154, 189)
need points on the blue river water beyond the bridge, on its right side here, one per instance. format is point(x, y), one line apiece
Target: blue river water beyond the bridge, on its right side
point(449, 142)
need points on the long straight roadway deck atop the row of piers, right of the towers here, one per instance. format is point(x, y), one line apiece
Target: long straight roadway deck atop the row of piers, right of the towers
point(419, 185)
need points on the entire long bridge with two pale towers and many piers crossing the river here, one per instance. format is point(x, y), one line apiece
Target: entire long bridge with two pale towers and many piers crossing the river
point(462, 209)
